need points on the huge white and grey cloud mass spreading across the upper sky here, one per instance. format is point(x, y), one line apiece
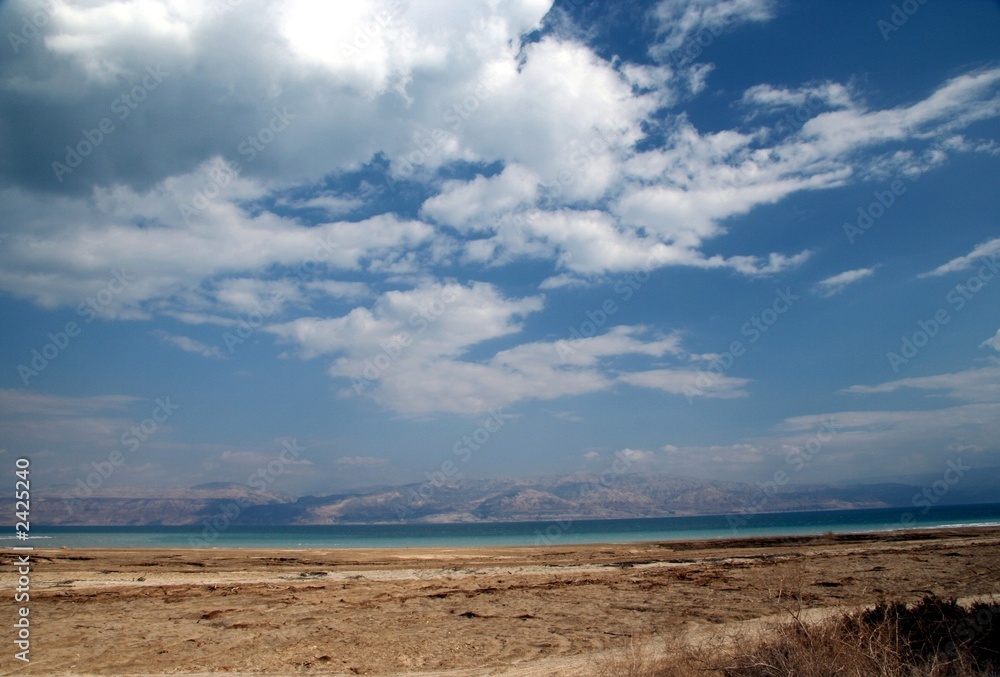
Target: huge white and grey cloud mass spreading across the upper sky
point(429, 86)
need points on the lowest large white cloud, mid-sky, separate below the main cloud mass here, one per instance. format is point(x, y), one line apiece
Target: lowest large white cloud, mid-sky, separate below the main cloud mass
point(411, 352)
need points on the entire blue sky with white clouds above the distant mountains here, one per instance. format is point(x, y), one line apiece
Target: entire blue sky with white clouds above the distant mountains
point(407, 239)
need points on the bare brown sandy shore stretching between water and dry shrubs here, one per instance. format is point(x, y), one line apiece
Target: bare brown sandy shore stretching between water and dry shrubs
point(478, 611)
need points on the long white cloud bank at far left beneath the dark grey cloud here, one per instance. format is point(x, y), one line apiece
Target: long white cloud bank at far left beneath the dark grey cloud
point(68, 248)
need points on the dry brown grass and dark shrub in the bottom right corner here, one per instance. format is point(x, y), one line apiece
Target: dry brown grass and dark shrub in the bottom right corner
point(934, 638)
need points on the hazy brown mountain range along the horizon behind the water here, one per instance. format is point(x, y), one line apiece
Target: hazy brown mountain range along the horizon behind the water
point(548, 498)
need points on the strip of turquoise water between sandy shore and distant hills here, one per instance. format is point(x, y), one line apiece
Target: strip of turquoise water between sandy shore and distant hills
point(512, 533)
